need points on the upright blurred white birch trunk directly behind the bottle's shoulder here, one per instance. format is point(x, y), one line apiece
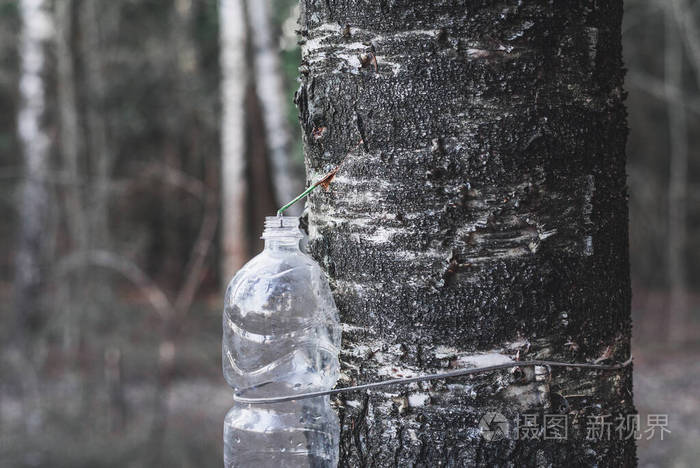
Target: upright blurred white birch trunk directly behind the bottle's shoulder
point(233, 88)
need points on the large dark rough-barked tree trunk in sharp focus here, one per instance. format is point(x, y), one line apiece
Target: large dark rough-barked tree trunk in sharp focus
point(483, 219)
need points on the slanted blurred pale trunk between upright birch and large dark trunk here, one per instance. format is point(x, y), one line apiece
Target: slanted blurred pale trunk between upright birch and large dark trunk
point(269, 87)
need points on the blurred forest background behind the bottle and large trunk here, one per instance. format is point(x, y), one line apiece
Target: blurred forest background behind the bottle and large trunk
point(125, 208)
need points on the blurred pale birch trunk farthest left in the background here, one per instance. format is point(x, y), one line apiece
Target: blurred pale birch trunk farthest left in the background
point(34, 141)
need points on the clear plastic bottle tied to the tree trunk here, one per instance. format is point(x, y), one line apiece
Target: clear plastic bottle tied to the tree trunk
point(281, 337)
